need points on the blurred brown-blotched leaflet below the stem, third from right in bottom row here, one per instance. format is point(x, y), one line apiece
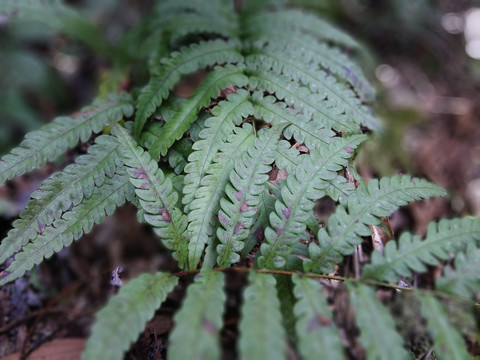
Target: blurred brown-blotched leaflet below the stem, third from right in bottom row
point(316, 332)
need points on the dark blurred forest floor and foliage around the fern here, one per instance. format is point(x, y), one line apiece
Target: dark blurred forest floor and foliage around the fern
point(424, 60)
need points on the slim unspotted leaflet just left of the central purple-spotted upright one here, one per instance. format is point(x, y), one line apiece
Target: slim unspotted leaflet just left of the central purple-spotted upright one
point(205, 206)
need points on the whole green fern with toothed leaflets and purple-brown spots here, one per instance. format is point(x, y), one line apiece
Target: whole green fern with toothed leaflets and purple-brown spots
point(283, 91)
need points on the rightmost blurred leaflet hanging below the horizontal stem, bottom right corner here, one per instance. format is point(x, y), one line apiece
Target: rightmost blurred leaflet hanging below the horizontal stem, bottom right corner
point(447, 342)
